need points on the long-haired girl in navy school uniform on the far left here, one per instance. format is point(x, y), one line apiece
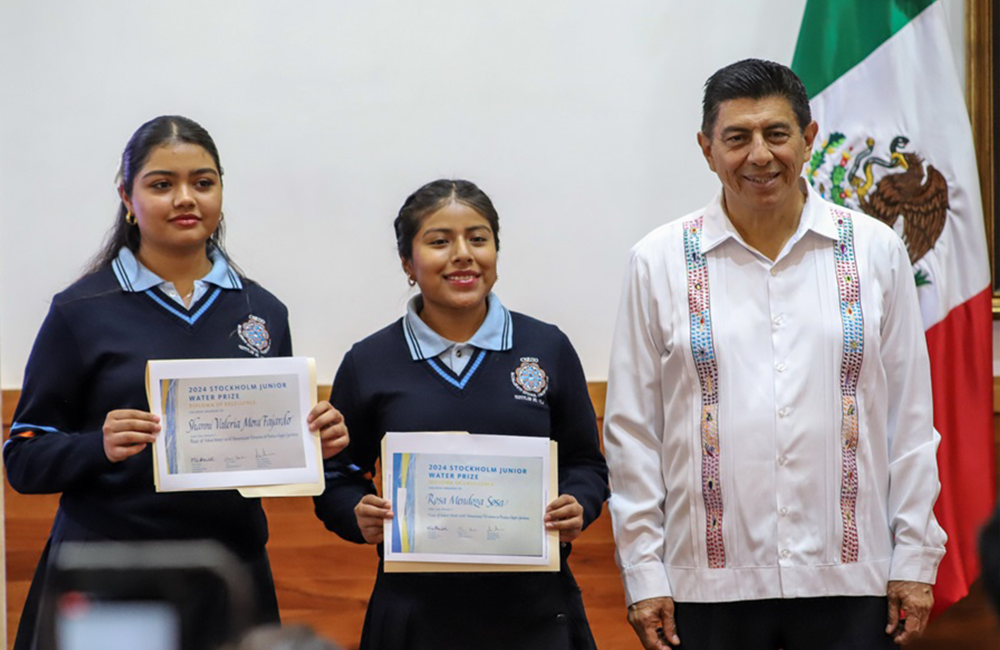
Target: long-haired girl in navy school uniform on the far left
point(163, 287)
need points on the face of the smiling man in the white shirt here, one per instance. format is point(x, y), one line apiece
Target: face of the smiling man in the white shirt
point(757, 150)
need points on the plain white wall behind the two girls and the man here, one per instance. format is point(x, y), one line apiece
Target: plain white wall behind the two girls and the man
point(578, 117)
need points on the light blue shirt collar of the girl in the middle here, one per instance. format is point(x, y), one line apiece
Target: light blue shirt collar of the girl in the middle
point(496, 332)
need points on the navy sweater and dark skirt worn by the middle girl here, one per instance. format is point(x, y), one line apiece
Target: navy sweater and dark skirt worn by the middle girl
point(537, 388)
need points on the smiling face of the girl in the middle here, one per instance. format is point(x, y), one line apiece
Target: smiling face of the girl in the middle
point(454, 259)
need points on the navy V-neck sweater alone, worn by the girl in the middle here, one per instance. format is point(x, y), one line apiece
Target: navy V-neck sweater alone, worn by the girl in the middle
point(380, 388)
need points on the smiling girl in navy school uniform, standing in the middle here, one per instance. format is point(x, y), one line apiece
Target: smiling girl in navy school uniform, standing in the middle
point(460, 361)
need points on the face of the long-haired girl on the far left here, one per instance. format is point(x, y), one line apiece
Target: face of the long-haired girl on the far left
point(176, 198)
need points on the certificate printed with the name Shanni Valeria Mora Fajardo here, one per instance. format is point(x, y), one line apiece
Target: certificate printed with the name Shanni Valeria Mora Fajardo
point(235, 423)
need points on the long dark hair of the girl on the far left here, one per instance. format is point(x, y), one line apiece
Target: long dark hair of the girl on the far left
point(165, 129)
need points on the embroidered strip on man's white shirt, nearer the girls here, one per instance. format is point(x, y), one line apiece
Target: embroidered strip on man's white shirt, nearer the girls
point(705, 362)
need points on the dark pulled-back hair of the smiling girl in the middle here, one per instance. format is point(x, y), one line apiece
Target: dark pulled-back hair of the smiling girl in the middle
point(433, 196)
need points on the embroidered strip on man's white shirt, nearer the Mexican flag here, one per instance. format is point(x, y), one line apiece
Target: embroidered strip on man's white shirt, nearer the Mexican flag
point(850, 368)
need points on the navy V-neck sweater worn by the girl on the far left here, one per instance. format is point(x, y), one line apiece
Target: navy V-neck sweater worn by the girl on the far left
point(90, 358)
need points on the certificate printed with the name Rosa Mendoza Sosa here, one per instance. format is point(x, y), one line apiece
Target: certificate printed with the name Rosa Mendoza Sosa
point(468, 502)
